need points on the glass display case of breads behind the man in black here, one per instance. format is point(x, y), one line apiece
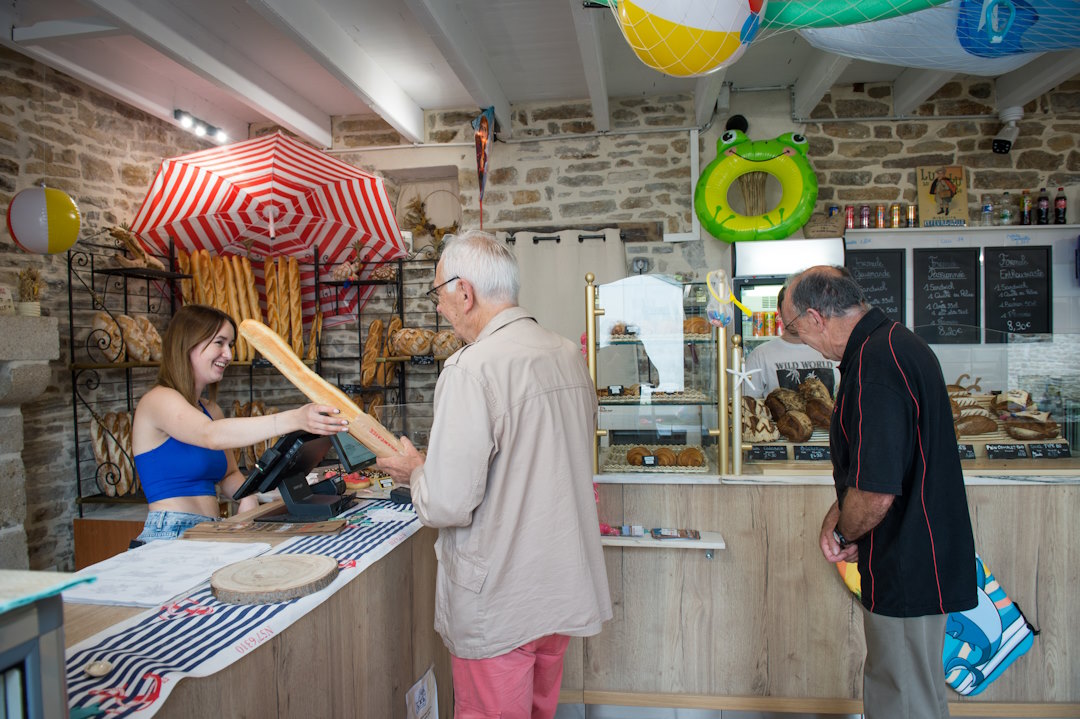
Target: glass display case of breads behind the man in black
point(1016, 402)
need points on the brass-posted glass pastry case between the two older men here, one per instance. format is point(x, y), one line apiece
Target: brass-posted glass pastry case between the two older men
point(658, 371)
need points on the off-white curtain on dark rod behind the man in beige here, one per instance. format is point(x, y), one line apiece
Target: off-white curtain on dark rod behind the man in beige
point(553, 275)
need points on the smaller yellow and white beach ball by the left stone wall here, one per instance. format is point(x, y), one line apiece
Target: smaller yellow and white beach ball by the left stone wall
point(44, 221)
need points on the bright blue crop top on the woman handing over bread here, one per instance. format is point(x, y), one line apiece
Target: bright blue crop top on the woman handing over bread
point(177, 469)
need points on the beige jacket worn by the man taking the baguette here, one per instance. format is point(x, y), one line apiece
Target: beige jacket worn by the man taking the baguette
point(508, 481)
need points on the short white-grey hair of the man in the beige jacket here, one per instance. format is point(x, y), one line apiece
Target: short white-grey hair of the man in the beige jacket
point(488, 264)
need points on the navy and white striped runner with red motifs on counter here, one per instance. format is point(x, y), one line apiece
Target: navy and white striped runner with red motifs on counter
point(197, 635)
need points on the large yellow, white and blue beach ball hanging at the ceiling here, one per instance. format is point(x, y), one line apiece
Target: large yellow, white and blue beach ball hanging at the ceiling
point(686, 38)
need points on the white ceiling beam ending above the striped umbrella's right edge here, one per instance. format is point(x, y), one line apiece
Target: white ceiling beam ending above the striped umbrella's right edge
point(322, 37)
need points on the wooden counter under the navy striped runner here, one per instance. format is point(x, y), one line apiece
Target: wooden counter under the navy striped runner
point(354, 656)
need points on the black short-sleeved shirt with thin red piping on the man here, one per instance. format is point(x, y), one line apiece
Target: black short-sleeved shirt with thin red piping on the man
point(893, 433)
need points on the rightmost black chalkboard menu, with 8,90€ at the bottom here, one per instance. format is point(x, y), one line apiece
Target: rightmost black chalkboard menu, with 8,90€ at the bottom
point(1018, 292)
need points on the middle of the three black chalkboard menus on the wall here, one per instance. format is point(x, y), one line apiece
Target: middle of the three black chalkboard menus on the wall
point(947, 296)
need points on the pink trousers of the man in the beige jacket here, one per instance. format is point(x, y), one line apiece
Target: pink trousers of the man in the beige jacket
point(523, 684)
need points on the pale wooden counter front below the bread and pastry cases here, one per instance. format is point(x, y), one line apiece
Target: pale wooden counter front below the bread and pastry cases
point(768, 626)
